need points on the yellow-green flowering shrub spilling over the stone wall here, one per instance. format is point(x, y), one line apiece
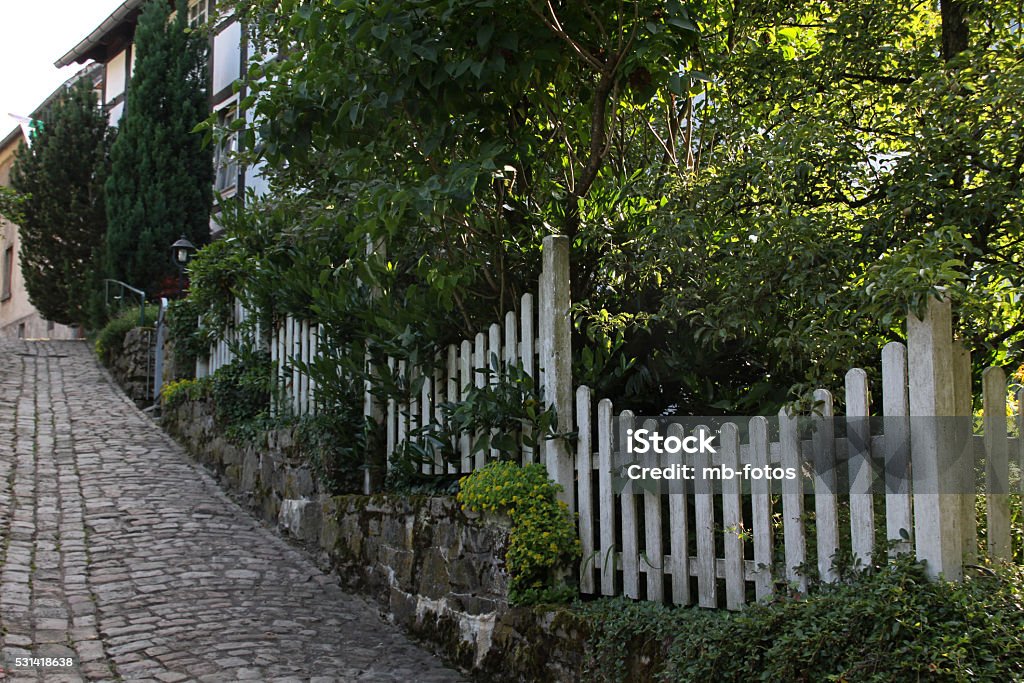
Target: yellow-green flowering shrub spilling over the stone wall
point(543, 541)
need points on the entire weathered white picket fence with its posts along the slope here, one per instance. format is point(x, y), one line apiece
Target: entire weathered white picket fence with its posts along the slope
point(719, 544)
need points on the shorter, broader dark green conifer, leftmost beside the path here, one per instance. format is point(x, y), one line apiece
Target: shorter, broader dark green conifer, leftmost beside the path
point(61, 209)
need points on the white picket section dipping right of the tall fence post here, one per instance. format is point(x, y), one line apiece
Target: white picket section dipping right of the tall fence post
point(714, 544)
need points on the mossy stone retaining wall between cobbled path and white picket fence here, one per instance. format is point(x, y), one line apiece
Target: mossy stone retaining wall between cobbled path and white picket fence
point(435, 570)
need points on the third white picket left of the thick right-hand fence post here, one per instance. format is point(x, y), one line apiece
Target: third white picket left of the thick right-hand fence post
point(826, 484)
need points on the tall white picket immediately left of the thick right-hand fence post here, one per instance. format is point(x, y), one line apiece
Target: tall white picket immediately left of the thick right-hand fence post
point(897, 426)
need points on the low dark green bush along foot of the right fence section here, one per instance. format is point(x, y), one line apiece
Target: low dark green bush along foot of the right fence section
point(890, 625)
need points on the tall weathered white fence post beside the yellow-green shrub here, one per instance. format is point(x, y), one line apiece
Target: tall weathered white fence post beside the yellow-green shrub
point(557, 358)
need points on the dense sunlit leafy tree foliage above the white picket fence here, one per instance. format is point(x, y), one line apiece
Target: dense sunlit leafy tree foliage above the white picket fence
point(756, 191)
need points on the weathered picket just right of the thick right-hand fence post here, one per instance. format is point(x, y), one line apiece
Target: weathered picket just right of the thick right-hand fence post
point(994, 382)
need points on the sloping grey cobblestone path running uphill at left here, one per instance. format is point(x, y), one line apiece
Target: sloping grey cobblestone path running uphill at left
point(119, 553)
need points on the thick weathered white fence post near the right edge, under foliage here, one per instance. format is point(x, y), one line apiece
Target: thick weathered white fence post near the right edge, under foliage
point(937, 511)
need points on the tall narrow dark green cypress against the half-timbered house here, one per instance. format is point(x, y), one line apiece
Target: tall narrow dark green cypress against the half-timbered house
point(161, 183)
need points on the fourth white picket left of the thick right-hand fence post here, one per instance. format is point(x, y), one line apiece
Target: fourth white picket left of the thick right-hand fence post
point(793, 501)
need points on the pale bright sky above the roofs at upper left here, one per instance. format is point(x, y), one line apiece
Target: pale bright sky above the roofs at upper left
point(34, 34)
